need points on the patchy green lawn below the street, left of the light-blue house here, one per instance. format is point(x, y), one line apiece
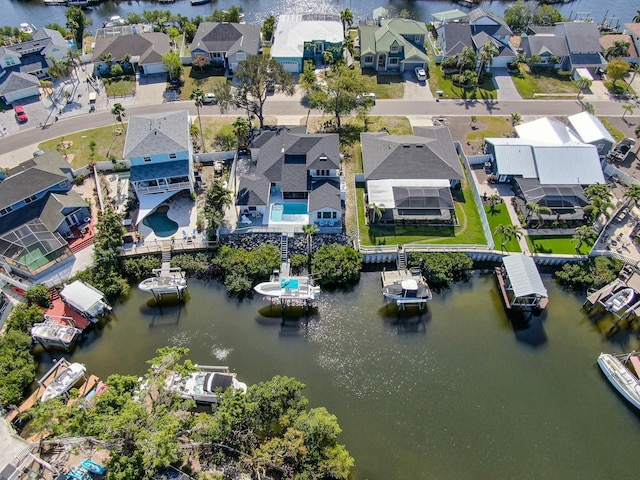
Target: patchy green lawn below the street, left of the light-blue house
point(109, 141)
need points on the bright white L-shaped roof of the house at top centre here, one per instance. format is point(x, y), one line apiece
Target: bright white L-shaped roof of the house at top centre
point(292, 31)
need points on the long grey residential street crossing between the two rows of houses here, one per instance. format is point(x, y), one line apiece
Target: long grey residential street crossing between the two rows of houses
point(35, 135)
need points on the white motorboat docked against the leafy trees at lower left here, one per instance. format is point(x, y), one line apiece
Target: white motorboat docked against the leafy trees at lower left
point(205, 385)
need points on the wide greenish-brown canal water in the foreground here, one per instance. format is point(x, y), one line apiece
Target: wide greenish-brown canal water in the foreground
point(461, 391)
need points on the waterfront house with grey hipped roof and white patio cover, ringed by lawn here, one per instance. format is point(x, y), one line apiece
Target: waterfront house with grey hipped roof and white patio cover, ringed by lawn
point(411, 177)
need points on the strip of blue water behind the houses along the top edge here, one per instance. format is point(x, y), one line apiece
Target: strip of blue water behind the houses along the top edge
point(34, 11)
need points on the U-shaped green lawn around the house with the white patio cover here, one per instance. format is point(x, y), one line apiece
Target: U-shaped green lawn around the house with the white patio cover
point(469, 231)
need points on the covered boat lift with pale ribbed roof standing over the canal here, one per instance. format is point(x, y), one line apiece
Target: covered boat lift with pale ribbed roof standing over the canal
point(520, 283)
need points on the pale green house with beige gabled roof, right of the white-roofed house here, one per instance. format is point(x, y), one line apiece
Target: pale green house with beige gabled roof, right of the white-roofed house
point(397, 45)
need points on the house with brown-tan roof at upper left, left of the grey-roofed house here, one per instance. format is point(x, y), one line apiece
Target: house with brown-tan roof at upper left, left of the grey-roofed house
point(133, 47)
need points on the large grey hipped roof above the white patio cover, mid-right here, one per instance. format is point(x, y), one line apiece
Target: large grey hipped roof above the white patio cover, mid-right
point(428, 154)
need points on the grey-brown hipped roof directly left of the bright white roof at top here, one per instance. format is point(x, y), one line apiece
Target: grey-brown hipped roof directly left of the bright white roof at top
point(227, 37)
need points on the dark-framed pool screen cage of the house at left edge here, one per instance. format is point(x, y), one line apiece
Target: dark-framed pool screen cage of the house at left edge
point(31, 246)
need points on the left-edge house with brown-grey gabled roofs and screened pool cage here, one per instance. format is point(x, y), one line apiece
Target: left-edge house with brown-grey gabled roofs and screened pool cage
point(38, 210)
